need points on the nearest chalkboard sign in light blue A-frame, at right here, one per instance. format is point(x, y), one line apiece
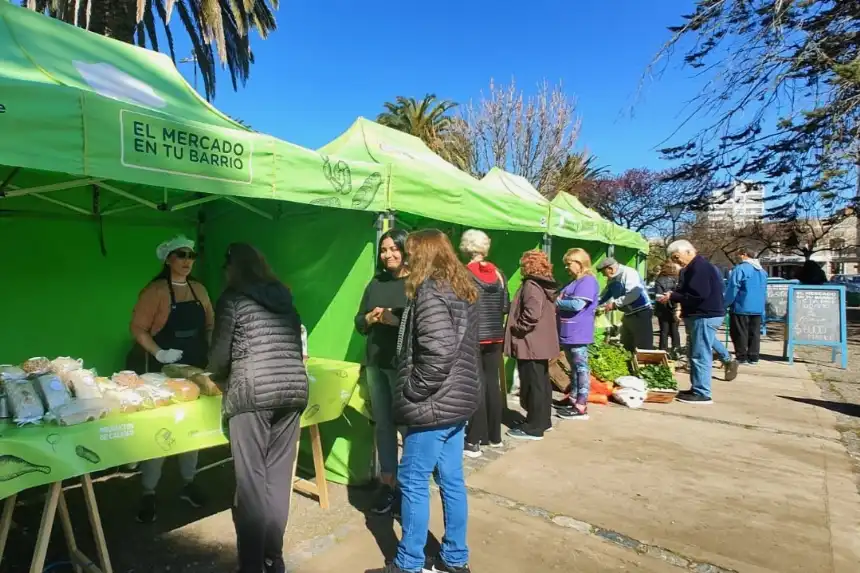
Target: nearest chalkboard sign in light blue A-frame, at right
point(816, 316)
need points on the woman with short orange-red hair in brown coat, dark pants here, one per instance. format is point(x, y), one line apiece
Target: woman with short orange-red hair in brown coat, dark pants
point(531, 337)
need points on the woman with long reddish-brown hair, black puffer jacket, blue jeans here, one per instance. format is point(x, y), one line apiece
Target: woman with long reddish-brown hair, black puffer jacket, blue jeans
point(438, 389)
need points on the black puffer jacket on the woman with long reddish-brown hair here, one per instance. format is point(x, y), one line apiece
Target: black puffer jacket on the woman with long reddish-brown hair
point(437, 382)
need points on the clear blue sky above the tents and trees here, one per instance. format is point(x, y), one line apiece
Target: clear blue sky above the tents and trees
point(331, 61)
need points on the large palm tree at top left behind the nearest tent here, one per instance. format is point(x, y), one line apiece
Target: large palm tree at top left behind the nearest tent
point(216, 28)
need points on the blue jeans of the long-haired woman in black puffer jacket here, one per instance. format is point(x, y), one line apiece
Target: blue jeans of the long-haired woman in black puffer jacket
point(436, 451)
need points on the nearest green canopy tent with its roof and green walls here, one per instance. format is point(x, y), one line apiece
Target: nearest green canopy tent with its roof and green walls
point(105, 151)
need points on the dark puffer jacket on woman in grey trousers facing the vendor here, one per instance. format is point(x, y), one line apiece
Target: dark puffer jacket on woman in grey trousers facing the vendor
point(256, 354)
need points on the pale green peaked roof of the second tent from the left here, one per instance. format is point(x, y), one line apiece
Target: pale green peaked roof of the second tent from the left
point(424, 184)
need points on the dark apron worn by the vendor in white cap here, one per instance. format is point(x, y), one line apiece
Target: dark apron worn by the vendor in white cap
point(185, 330)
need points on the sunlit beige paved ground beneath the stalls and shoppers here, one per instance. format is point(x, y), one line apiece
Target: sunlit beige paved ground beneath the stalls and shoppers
point(758, 482)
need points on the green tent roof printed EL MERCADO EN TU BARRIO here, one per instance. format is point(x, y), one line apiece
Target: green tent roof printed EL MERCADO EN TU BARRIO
point(104, 112)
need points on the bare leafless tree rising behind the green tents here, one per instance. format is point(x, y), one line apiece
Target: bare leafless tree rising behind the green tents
point(529, 136)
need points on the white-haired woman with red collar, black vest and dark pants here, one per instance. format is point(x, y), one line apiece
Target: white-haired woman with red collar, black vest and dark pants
point(485, 427)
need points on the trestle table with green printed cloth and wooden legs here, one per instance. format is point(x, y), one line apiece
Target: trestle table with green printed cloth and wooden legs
point(33, 456)
